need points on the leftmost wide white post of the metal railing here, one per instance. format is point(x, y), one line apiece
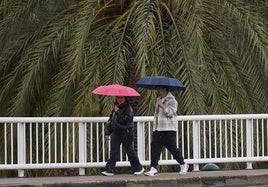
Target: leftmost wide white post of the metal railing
point(21, 147)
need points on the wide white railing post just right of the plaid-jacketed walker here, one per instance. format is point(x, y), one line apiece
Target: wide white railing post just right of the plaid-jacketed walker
point(196, 143)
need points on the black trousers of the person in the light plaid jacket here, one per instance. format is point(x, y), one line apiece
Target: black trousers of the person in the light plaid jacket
point(168, 140)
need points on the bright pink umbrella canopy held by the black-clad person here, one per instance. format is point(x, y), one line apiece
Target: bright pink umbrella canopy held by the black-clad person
point(115, 90)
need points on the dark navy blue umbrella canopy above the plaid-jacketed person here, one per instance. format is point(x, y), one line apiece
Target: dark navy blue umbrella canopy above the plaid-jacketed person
point(151, 82)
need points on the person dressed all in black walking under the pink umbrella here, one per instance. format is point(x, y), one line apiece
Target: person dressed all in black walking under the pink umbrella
point(120, 128)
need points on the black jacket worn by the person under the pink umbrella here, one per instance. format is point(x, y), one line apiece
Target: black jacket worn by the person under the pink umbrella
point(120, 120)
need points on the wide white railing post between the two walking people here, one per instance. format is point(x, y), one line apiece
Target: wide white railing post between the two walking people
point(140, 141)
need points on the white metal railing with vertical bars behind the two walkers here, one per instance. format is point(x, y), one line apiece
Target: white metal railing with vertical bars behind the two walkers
point(78, 142)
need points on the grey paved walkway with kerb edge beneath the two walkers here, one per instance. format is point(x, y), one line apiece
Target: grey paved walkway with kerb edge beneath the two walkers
point(245, 178)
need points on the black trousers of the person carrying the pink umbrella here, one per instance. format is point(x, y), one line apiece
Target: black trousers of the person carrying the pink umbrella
point(124, 137)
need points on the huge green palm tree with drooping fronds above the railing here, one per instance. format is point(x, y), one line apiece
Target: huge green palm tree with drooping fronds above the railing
point(54, 53)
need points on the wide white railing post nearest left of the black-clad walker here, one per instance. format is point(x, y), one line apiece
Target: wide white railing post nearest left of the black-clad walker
point(82, 146)
